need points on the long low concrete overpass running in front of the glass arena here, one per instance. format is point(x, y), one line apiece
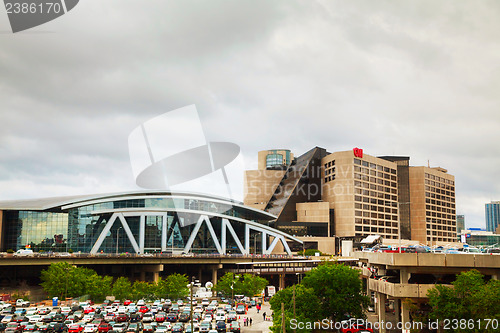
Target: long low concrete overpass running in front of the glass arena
point(137, 267)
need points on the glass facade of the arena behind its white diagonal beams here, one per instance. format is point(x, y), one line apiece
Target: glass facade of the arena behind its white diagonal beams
point(79, 228)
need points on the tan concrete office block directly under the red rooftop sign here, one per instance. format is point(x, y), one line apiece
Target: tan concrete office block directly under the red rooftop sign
point(363, 193)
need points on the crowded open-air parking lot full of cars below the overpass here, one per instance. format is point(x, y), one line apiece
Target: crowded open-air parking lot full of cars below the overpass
point(160, 316)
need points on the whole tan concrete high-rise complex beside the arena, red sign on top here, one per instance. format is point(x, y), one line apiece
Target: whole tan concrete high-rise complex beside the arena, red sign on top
point(351, 195)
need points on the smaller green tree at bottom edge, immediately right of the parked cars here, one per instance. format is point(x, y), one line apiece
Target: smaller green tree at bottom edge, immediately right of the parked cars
point(307, 308)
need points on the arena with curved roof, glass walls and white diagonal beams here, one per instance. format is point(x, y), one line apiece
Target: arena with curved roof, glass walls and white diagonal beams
point(139, 222)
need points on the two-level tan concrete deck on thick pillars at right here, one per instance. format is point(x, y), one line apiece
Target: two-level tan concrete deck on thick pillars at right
point(415, 274)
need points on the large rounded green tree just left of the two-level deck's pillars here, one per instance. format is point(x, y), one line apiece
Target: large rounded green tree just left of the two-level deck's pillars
point(339, 290)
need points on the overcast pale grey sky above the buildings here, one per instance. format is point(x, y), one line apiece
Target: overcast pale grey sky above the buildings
point(419, 79)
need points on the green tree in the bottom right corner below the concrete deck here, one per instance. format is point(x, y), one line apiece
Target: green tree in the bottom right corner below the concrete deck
point(470, 298)
